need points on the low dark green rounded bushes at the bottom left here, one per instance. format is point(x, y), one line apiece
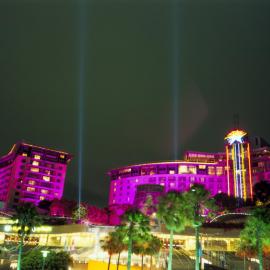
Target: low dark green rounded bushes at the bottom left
point(33, 260)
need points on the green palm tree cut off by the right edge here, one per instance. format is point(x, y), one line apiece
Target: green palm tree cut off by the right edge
point(256, 233)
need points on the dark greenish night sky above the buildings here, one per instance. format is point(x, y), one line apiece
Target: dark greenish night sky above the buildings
point(223, 61)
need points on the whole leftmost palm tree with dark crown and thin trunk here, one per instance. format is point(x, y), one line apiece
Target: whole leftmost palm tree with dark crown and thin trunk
point(26, 218)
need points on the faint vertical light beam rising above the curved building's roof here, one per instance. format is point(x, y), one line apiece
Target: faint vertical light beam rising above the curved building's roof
point(175, 75)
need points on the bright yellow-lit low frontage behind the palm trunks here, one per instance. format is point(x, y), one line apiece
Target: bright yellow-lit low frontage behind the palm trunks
point(83, 243)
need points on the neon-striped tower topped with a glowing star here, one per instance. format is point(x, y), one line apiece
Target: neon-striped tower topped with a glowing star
point(238, 165)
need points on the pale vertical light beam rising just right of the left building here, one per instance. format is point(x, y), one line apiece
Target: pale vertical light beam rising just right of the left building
point(81, 90)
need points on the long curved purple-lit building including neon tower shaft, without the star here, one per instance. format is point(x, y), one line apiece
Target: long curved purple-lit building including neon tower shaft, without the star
point(216, 171)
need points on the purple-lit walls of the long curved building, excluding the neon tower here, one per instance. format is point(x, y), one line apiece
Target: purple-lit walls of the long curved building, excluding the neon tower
point(208, 169)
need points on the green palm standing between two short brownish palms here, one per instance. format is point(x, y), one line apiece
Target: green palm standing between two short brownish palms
point(135, 227)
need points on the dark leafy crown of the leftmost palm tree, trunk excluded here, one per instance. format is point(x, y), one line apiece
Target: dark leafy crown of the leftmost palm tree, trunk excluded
point(26, 217)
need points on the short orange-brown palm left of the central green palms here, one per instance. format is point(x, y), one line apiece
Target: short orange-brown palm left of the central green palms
point(113, 244)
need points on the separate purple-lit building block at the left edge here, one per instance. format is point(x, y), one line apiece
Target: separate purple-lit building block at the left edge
point(30, 173)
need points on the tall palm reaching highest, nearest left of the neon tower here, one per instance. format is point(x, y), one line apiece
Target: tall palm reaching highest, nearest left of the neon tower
point(199, 207)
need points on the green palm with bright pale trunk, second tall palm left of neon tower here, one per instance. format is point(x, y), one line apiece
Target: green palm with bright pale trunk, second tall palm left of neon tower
point(170, 212)
